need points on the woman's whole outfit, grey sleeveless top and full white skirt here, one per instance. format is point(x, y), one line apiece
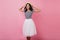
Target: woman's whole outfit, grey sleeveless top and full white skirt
point(29, 27)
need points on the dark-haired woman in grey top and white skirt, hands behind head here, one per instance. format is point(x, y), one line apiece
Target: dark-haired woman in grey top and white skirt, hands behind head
point(29, 28)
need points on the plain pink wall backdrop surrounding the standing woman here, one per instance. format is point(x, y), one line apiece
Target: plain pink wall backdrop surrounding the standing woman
point(47, 21)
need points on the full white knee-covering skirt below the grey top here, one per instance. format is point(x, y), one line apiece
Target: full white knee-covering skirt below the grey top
point(29, 28)
